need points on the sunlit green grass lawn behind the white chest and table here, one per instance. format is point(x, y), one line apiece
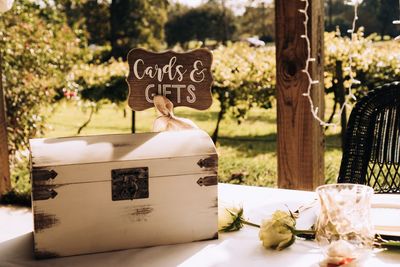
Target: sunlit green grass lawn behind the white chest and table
point(247, 151)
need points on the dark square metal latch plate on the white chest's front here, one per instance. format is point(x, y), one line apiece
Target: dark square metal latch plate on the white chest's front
point(131, 183)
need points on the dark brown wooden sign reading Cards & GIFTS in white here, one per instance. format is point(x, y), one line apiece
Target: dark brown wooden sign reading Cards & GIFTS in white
point(184, 78)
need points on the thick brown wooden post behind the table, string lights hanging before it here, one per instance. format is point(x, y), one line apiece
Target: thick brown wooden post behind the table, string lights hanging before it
point(300, 137)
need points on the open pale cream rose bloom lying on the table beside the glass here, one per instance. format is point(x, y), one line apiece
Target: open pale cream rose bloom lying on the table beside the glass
point(276, 232)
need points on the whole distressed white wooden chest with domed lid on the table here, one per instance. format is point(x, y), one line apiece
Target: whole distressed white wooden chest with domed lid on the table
point(110, 192)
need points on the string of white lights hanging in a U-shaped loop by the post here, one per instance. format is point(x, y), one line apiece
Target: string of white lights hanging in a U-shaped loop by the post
point(311, 82)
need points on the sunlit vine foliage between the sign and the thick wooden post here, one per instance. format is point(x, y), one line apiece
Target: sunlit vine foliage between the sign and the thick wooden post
point(244, 77)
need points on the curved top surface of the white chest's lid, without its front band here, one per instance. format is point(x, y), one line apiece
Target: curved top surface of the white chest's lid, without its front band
point(119, 147)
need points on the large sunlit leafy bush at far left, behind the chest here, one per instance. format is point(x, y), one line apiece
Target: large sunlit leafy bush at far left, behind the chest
point(38, 49)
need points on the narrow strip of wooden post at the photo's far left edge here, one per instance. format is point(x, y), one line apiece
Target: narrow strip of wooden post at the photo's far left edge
point(5, 182)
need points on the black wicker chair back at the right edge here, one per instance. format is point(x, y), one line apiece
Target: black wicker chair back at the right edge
point(371, 153)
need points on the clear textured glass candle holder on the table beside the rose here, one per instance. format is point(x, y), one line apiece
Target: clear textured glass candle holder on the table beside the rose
point(344, 227)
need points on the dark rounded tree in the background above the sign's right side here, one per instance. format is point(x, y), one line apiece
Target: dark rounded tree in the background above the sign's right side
point(209, 21)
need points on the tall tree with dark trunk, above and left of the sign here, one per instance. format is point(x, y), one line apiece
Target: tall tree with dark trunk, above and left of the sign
point(122, 23)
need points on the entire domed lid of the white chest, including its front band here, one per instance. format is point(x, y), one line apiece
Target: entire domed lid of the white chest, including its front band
point(71, 160)
